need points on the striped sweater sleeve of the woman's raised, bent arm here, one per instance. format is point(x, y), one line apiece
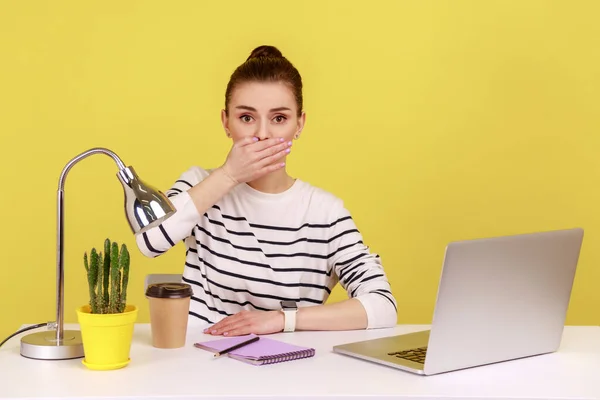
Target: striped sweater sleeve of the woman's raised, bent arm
point(158, 240)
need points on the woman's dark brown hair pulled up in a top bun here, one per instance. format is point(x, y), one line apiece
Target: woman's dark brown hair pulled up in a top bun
point(266, 64)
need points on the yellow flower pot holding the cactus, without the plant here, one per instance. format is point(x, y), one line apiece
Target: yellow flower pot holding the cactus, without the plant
point(106, 337)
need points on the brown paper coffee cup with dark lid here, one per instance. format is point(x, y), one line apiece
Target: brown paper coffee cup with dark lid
point(169, 309)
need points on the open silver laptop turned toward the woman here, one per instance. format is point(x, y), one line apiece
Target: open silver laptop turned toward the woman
point(498, 299)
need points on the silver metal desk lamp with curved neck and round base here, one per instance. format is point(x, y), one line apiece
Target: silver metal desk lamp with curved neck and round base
point(145, 207)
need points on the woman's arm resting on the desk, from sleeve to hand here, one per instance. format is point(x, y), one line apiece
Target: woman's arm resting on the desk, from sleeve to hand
point(371, 303)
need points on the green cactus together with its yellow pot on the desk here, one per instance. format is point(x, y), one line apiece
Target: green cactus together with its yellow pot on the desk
point(107, 322)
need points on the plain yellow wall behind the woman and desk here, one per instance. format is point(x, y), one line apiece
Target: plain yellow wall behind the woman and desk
point(435, 121)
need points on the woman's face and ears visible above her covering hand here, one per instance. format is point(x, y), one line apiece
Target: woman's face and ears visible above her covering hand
point(264, 110)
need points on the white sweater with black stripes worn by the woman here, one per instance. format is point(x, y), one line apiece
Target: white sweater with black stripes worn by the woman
point(253, 249)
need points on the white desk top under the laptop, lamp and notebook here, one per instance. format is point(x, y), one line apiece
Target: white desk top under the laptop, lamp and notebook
point(190, 373)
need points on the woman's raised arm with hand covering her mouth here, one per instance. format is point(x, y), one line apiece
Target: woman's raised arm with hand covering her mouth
point(247, 160)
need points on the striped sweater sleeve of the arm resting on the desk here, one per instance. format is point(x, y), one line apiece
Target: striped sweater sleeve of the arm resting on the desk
point(360, 272)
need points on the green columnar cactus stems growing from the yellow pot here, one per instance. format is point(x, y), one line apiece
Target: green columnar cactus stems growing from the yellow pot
point(108, 277)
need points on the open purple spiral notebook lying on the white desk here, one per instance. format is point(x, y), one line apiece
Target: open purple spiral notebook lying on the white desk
point(263, 351)
